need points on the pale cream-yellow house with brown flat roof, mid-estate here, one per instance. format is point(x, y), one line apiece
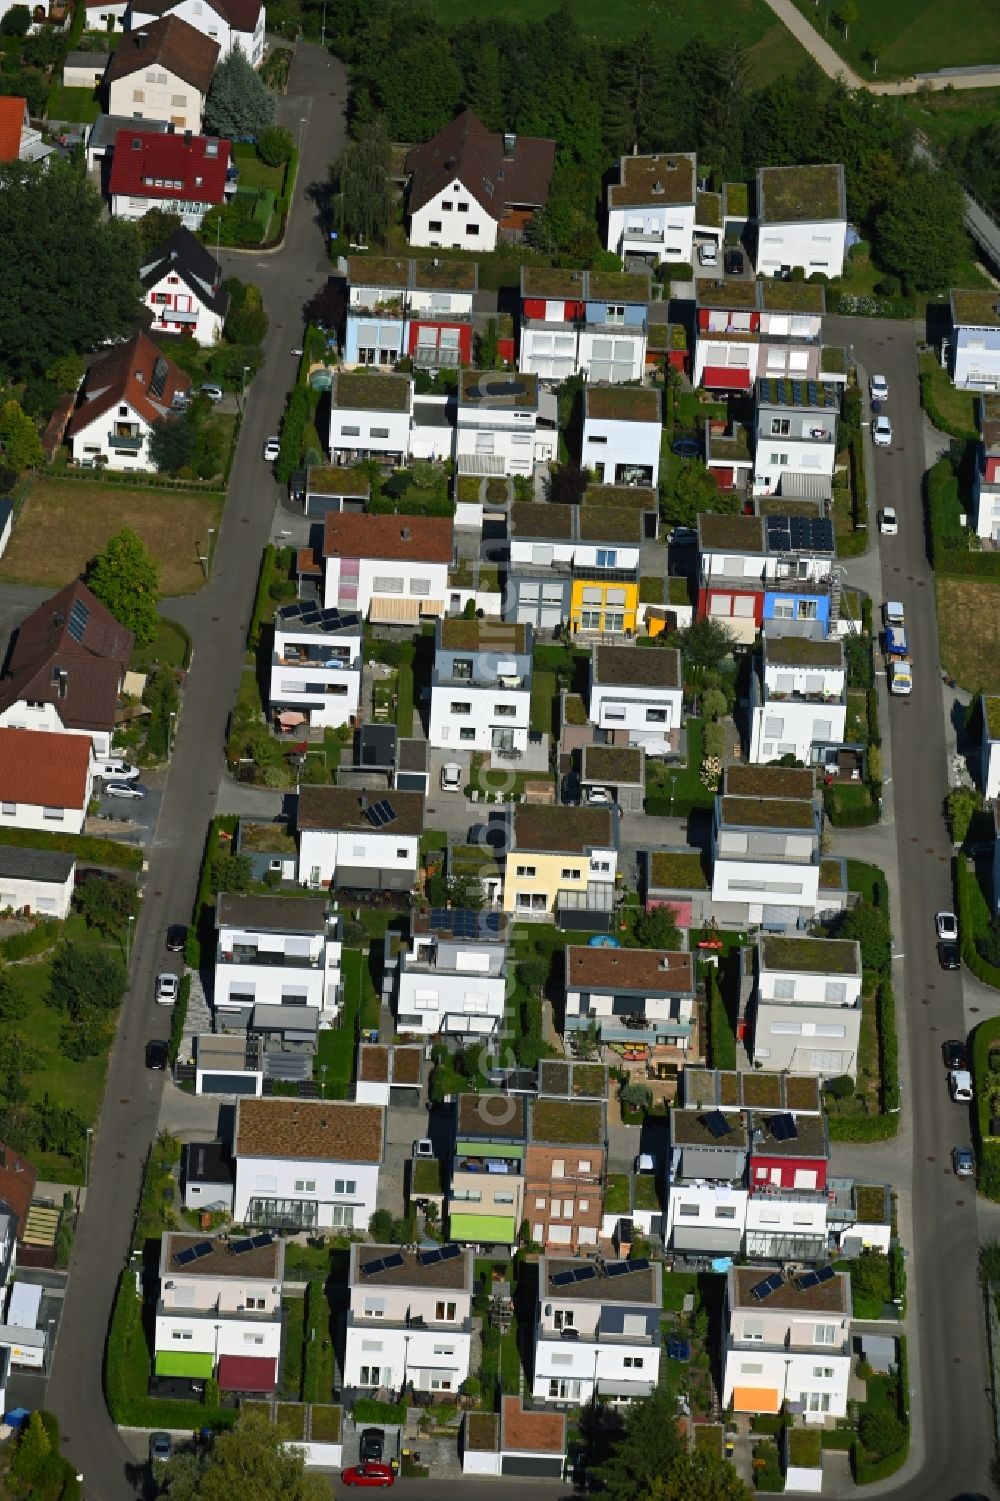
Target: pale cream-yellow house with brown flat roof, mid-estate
point(559, 856)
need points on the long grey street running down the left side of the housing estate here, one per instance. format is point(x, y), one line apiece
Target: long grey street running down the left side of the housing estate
point(315, 113)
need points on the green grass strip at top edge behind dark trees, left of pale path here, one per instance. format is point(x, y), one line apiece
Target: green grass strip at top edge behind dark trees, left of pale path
point(750, 23)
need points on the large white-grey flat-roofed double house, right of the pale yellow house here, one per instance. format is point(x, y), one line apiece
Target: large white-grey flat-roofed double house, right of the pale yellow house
point(767, 846)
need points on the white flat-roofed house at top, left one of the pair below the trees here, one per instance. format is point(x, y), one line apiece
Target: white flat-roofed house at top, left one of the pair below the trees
point(652, 208)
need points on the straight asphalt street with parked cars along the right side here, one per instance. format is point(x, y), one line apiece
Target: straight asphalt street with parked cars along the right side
point(951, 1385)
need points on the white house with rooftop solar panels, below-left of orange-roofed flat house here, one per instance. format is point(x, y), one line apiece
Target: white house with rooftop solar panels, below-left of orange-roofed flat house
point(316, 667)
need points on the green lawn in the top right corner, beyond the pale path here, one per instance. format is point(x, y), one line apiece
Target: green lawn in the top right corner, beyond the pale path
point(917, 38)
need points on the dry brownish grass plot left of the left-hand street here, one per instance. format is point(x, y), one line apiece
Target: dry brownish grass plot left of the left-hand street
point(67, 523)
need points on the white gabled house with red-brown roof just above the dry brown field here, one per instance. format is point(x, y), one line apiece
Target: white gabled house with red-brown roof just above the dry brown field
point(125, 396)
